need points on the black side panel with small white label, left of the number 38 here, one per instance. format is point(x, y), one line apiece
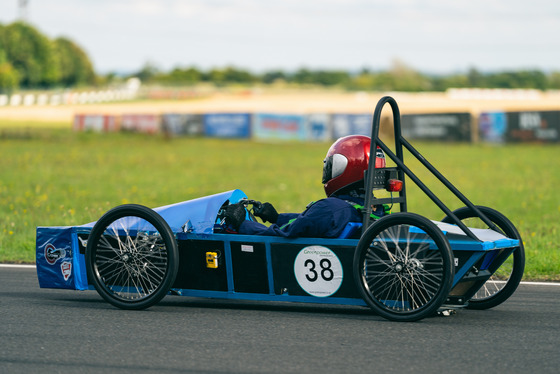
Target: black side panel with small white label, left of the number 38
point(249, 267)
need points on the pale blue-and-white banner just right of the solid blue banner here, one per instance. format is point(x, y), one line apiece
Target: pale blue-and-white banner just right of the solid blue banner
point(279, 126)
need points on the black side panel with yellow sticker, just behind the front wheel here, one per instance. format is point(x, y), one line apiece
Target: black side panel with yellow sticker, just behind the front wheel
point(193, 273)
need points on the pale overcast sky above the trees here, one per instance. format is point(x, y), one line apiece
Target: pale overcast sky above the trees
point(434, 36)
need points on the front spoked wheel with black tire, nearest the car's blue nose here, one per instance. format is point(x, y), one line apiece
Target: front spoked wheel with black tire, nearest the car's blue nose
point(132, 257)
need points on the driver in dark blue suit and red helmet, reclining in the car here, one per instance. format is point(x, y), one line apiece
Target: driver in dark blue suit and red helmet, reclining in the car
point(343, 178)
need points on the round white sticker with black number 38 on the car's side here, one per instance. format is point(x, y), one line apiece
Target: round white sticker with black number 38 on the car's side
point(318, 271)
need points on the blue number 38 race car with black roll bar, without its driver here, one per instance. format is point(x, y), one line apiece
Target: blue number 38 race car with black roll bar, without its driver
point(403, 266)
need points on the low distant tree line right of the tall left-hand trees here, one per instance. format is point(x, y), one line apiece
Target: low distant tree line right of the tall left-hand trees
point(399, 77)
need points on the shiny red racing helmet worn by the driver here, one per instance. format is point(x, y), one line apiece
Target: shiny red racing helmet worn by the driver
point(347, 161)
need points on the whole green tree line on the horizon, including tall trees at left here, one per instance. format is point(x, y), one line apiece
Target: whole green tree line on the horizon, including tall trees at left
point(30, 60)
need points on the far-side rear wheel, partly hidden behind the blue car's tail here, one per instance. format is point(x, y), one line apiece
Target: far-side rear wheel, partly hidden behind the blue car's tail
point(506, 277)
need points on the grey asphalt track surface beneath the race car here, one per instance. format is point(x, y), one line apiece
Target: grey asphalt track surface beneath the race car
point(62, 331)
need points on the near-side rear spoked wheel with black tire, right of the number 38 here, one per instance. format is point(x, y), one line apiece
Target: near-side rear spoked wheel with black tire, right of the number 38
point(403, 267)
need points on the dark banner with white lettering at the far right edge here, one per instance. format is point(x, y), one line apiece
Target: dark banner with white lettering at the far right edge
point(533, 126)
